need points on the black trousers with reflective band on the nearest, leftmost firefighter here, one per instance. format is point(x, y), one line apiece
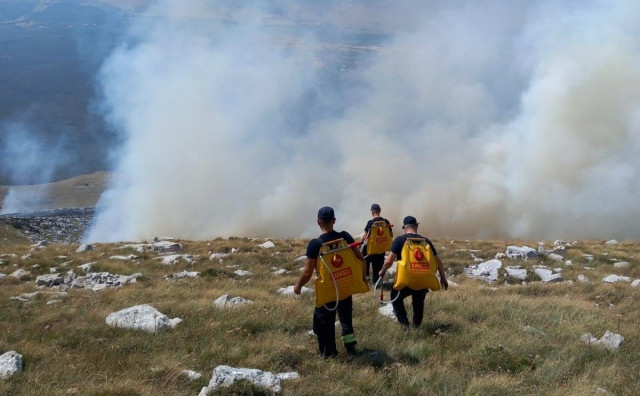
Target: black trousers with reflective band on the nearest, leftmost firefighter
point(324, 327)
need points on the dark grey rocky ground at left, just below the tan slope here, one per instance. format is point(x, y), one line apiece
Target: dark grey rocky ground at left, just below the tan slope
point(55, 226)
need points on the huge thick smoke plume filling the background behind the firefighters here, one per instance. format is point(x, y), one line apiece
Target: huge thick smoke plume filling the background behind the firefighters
point(480, 118)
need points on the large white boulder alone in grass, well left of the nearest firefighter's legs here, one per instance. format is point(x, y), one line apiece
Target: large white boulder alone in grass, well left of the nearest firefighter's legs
point(141, 317)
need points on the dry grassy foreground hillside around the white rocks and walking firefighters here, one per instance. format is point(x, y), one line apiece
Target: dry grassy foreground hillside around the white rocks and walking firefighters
point(477, 339)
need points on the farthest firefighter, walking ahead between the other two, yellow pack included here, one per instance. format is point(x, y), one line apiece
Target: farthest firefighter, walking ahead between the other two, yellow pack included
point(374, 258)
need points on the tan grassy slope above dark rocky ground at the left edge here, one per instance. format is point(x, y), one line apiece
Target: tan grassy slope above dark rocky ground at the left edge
point(78, 192)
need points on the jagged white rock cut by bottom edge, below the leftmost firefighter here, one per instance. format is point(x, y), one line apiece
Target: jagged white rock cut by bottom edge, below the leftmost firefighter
point(226, 375)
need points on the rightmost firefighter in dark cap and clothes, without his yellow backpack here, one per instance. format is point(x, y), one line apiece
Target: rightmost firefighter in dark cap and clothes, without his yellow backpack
point(410, 227)
